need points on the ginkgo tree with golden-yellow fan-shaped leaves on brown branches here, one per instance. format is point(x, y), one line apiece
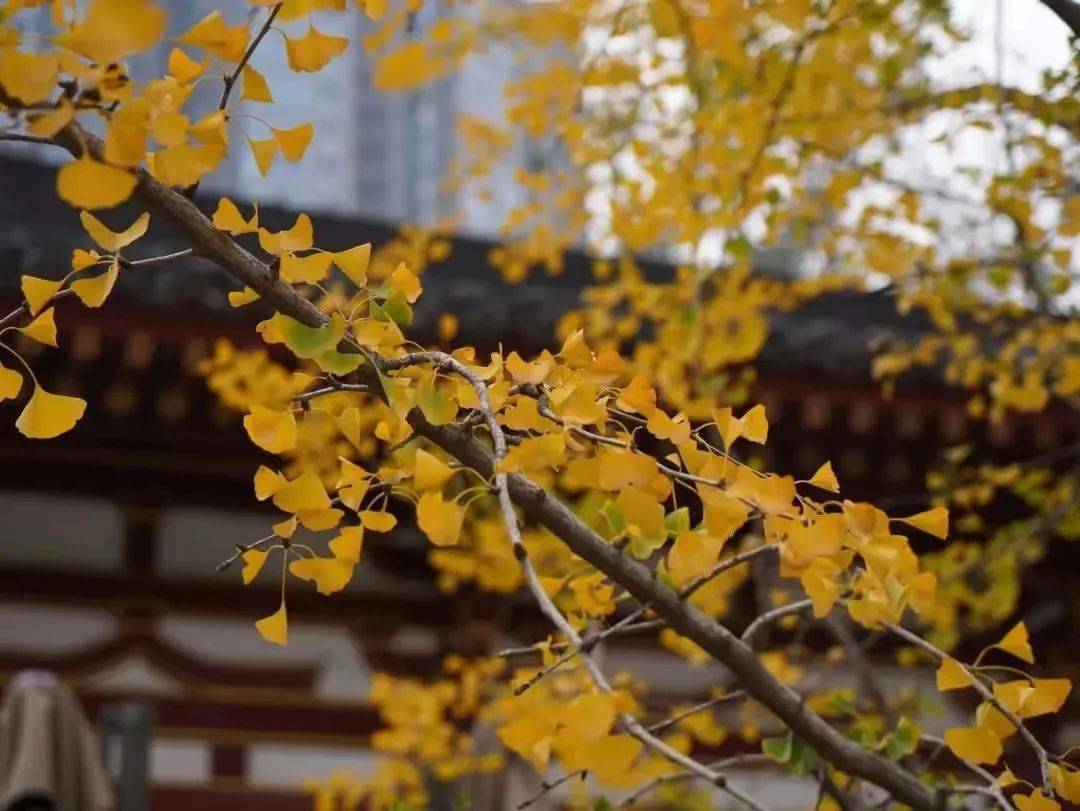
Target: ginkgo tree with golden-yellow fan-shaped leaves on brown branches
point(607, 479)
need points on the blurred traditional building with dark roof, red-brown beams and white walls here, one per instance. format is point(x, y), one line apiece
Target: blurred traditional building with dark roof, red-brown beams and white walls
point(111, 536)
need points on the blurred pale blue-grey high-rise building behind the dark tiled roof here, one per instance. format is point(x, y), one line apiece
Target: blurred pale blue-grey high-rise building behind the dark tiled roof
point(379, 156)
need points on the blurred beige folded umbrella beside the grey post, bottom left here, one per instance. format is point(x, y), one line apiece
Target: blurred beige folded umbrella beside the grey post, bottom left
point(49, 753)
